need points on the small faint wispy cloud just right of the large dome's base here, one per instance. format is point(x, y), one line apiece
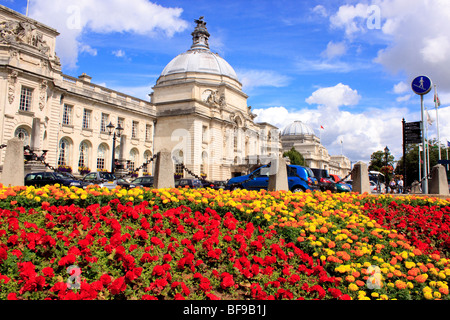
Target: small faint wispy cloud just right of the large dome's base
point(261, 78)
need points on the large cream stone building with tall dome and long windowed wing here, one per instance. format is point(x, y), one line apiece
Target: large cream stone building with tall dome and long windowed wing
point(197, 109)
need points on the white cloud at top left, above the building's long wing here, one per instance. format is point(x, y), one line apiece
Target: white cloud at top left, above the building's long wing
point(72, 18)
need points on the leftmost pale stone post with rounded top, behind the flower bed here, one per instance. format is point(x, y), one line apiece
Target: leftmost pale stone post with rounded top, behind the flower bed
point(13, 170)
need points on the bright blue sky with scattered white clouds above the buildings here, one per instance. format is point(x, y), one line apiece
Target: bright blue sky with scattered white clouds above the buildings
point(344, 65)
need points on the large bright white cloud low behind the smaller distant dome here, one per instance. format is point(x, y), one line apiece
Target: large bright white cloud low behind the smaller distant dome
point(372, 128)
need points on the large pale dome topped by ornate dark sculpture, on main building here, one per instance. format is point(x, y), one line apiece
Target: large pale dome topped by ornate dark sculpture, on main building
point(199, 58)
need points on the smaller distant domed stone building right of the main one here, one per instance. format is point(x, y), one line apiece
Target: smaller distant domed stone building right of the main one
point(303, 138)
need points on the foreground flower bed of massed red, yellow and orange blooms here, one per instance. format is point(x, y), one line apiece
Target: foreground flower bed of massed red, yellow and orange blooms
point(327, 246)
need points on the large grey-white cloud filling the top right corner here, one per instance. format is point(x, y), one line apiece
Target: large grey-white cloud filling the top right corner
point(415, 35)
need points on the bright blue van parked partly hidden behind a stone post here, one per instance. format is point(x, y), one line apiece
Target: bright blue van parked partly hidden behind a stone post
point(299, 179)
